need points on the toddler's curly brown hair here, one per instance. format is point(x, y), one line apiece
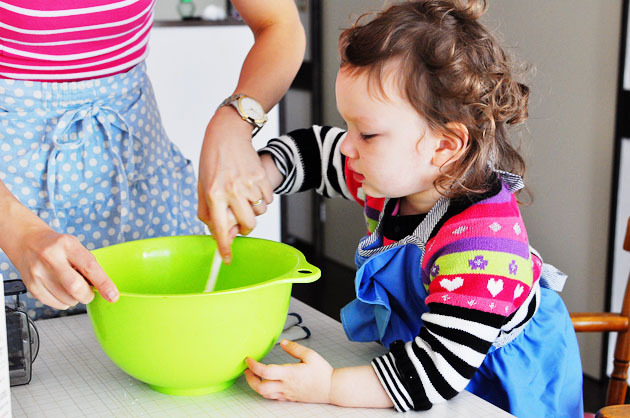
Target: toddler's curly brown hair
point(451, 68)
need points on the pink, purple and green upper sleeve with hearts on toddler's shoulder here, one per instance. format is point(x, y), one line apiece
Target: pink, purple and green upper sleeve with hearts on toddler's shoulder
point(481, 256)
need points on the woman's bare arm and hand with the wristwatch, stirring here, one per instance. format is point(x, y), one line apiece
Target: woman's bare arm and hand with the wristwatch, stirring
point(230, 173)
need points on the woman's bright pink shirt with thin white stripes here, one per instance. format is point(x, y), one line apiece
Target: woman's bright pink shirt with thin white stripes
point(62, 40)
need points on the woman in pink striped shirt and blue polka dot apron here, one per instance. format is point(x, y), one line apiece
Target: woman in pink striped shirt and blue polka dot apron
point(85, 161)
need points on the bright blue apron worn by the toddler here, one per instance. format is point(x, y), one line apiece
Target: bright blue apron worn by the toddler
point(537, 374)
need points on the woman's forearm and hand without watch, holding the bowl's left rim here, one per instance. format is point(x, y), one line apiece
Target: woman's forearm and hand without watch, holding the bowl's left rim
point(55, 267)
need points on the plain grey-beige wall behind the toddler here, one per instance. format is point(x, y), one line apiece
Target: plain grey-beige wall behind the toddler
point(573, 45)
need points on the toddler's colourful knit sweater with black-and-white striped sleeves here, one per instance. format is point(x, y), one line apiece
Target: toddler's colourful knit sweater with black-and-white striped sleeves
point(482, 282)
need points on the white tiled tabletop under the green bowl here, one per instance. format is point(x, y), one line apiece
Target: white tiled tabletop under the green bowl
point(72, 377)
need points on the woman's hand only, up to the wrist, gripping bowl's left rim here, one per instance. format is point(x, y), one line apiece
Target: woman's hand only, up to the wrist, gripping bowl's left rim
point(58, 270)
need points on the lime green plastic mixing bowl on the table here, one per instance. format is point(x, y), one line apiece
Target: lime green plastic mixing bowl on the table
point(165, 331)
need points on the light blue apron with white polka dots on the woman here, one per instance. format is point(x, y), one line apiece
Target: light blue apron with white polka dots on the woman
point(91, 159)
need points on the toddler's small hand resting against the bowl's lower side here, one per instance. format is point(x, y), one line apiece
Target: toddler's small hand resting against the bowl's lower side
point(306, 381)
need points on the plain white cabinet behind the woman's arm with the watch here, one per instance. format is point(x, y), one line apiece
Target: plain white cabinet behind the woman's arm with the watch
point(194, 66)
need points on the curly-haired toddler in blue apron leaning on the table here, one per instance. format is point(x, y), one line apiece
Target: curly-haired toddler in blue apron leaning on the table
point(446, 277)
